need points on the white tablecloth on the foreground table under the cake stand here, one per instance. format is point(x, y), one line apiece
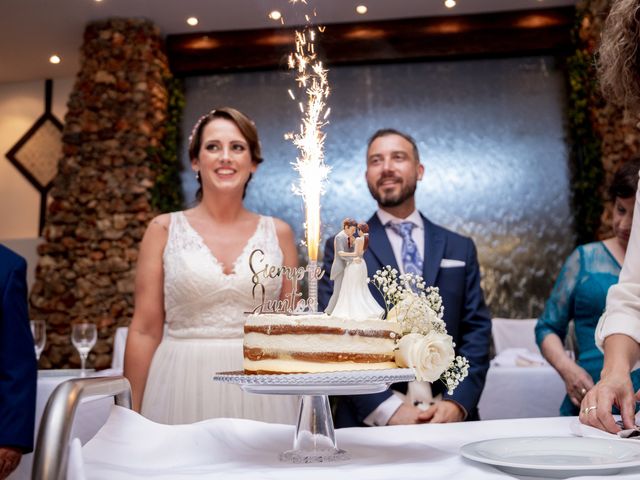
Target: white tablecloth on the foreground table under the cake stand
point(131, 447)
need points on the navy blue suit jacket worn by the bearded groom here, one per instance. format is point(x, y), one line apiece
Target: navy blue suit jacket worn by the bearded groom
point(465, 313)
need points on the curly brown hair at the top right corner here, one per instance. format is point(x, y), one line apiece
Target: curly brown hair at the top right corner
point(618, 55)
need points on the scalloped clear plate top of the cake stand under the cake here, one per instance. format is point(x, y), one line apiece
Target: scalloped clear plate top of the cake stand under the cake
point(329, 383)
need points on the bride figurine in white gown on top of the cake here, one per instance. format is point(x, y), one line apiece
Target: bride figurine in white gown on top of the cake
point(355, 301)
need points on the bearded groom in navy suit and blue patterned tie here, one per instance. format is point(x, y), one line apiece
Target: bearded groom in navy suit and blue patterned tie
point(400, 236)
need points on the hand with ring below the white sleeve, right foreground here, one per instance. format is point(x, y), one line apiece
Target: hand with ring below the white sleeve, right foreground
point(613, 389)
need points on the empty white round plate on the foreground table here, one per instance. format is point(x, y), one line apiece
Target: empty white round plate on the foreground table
point(556, 457)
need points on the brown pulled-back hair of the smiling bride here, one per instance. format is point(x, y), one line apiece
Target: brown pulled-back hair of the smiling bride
point(244, 124)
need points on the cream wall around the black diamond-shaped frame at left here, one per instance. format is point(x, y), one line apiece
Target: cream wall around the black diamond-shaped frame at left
point(21, 104)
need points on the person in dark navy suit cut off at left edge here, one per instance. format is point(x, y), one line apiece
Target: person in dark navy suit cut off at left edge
point(18, 367)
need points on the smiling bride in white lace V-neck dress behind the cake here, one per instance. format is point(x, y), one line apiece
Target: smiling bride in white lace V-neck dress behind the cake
point(193, 275)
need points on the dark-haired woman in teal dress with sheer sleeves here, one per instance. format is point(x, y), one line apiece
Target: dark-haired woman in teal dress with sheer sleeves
point(580, 293)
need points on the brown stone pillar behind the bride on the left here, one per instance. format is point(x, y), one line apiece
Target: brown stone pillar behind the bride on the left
point(101, 199)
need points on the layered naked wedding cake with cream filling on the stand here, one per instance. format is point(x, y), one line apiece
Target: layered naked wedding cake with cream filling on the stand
point(281, 343)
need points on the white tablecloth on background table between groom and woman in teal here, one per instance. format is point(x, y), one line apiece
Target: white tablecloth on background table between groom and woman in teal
point(521, 392)
